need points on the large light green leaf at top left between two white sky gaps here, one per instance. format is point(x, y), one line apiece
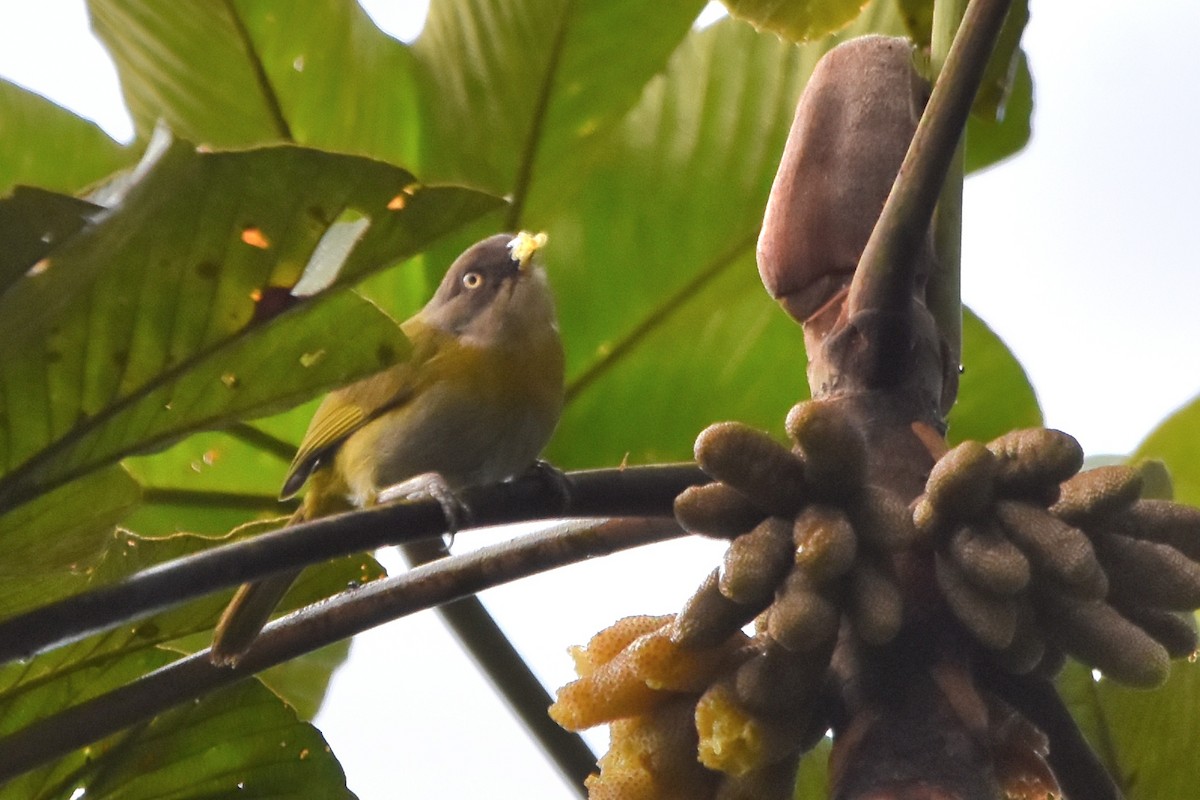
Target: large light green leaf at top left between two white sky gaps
point(253, 71)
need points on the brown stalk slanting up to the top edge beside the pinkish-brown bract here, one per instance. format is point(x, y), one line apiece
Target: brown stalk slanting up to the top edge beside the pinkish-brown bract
point(887, 268)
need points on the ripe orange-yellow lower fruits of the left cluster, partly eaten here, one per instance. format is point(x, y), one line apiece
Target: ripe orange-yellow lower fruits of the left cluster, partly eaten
point(718, 723)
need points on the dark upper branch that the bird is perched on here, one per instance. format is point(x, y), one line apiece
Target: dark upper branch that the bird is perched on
point(641, 491)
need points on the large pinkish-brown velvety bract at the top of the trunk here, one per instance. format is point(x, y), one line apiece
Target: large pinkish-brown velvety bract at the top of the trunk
point(851, 131)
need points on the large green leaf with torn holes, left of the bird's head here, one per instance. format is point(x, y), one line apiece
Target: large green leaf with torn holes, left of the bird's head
point(165, 317)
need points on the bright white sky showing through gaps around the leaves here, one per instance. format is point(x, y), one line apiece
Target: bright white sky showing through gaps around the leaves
point(1081, 254)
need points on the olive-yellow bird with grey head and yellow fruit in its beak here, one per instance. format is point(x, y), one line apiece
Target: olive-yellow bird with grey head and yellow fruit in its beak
point(476, 402)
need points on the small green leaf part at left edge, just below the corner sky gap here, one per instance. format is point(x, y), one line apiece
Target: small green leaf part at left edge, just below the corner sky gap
point(50, 147)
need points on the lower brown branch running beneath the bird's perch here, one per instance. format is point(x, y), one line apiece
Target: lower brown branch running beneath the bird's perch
point(310, 629)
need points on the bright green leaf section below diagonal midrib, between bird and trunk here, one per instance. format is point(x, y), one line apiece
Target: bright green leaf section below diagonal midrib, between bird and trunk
point(728, 342)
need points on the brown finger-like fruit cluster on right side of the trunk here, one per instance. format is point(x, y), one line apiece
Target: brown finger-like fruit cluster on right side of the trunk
point(1037, 560)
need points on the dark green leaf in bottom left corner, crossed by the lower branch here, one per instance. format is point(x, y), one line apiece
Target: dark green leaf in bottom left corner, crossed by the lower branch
point(241, 742)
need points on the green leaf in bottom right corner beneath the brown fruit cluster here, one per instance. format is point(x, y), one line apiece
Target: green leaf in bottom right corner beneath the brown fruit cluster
point(1147, 739)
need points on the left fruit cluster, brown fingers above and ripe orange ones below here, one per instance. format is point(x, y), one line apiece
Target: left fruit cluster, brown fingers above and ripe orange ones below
point(699, 708)
